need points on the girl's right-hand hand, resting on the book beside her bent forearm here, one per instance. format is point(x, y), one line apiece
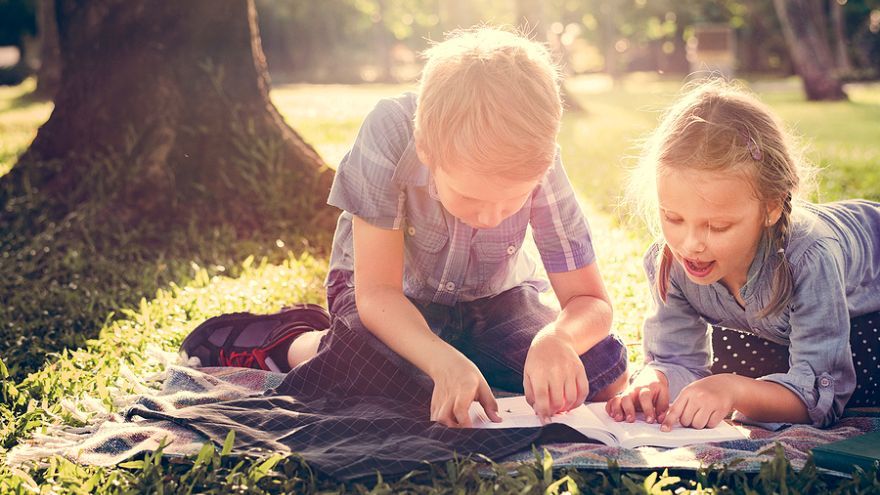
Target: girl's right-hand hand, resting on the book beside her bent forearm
point(703, 403)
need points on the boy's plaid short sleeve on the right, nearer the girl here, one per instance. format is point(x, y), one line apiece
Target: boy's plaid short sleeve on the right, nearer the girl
point(558, 224)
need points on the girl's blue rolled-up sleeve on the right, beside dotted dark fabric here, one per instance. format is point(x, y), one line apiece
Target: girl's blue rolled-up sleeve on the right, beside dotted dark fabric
point(821, 371)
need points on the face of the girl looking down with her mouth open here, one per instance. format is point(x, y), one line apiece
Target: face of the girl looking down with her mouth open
point(712, 223)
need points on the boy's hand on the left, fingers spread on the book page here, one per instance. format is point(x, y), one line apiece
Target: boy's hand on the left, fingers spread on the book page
point(457, 384)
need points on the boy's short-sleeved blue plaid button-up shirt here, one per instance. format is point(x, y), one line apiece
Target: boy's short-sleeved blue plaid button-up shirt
point(382, 181)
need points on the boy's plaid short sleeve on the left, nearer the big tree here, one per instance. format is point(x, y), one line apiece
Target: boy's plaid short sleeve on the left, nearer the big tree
point(363, 185)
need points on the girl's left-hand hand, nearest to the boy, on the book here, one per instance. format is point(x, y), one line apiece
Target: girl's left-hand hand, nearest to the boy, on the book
point(648, 393)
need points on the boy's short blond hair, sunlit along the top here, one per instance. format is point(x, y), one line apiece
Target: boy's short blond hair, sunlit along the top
point(489, 100)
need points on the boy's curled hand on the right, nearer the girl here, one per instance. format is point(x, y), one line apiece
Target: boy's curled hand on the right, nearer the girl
point(554, 379)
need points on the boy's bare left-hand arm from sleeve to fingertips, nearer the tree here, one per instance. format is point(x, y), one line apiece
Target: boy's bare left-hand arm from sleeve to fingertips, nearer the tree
point(391, 317)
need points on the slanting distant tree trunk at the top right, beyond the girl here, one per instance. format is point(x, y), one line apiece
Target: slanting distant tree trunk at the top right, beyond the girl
point(808, 44)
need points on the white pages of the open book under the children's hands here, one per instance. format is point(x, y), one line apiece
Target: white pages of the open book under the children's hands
point(593, 422)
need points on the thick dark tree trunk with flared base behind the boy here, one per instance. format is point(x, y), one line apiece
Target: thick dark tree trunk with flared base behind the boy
point(163, 115)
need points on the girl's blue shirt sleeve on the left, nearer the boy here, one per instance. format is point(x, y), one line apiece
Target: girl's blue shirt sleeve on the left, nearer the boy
point(676, 338)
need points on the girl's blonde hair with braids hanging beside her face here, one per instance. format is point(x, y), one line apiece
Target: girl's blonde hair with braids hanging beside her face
point(719, 127)
